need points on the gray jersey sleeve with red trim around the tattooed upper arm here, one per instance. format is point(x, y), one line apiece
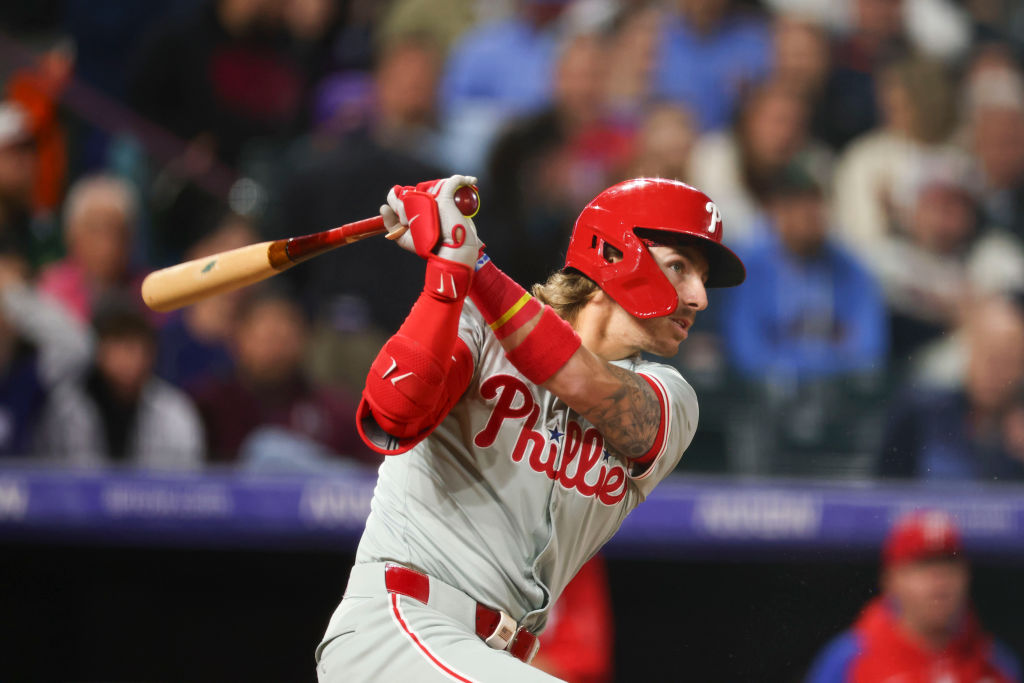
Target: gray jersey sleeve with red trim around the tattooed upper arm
point(676, 428)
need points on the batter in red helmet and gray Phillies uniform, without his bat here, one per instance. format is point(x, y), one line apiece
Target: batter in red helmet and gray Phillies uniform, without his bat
point(523, 430)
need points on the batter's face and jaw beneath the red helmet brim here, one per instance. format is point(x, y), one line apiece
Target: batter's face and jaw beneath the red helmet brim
point(687, 269)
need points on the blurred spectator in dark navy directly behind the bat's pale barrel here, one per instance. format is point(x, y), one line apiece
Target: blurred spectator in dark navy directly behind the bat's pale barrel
point(195, 344)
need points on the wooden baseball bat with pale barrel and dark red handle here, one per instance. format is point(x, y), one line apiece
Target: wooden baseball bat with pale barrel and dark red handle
point(188, 283)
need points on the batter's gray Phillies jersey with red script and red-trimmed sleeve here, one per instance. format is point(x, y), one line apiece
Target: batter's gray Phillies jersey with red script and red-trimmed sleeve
point(515, 491)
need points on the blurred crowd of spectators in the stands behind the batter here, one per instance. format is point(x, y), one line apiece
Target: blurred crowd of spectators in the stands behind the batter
point(868, 157)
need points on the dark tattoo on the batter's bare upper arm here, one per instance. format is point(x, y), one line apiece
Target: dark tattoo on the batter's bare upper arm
point(629, 417)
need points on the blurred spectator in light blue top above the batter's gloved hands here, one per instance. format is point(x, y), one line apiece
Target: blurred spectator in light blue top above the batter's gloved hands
point(497, 71)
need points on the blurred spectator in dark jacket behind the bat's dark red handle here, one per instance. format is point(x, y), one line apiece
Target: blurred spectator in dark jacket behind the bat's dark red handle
point(331, 179)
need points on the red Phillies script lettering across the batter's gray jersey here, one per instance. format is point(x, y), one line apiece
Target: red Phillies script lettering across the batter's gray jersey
point(582, 454)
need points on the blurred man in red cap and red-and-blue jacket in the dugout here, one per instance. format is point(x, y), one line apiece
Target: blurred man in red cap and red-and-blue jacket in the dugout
point(922, 628)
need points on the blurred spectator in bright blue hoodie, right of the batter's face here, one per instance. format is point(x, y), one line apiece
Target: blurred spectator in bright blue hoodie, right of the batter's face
point(806, 338)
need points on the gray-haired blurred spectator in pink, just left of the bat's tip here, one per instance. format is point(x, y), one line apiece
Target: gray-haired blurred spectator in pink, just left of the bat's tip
point(101, 215)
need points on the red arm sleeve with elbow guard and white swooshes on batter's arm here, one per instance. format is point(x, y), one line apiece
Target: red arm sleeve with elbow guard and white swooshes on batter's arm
point(421, 372)
